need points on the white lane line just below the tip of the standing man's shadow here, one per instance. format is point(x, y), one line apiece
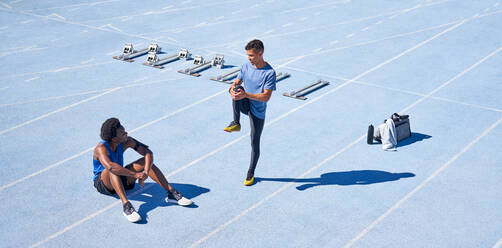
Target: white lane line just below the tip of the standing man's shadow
point(414, 191)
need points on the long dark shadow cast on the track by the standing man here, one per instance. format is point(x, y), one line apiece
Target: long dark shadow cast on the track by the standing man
point(360, 177)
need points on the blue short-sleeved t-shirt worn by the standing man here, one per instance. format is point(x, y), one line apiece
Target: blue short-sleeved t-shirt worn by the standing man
point(255, 81)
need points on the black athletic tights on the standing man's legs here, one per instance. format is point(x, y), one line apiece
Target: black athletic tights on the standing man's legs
point(256, 129)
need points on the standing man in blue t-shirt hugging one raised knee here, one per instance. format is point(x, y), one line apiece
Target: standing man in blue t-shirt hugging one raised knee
point(259, 82)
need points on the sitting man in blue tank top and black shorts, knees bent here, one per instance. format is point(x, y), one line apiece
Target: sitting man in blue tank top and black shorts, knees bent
point(110, 175)
